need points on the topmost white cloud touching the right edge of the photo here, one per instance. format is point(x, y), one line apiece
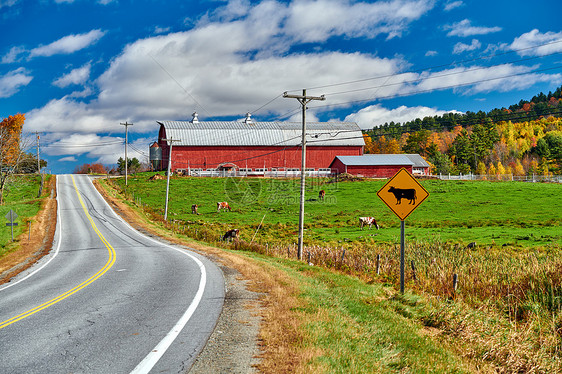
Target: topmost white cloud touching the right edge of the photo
point(550, 42)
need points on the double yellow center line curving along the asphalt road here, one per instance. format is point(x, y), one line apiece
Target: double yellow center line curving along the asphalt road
point(82, 285)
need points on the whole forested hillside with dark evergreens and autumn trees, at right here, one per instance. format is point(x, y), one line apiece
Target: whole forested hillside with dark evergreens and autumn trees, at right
point(524, 139)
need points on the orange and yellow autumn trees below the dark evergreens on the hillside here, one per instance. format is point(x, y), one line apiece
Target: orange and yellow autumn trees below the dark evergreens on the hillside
point(517, 148)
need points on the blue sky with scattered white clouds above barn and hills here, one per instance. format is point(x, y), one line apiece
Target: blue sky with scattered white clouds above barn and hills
point(79, 68)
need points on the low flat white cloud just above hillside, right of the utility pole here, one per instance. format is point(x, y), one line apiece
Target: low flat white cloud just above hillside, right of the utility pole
point(376, 115)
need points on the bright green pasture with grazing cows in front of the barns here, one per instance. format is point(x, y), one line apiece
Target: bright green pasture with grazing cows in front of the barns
point(502, 213)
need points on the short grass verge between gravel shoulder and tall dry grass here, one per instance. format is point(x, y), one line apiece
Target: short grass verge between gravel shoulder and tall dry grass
point(363, 328)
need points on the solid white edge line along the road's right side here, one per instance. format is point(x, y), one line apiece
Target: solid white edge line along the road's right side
point(152, 358)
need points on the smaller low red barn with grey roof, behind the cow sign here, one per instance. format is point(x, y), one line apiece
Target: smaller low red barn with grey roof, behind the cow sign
point(376, 165)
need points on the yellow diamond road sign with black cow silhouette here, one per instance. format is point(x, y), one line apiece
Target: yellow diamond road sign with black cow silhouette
point(402, 194)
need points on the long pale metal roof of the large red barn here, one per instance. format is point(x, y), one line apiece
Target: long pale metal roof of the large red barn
point(235, 133)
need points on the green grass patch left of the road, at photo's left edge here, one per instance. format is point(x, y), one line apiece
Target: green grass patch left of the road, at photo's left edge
point(20, 195)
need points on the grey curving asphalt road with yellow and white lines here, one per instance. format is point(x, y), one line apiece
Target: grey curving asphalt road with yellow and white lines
point(107, 299)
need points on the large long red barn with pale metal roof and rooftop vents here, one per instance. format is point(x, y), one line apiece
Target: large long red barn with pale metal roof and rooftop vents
point(246, 145)
